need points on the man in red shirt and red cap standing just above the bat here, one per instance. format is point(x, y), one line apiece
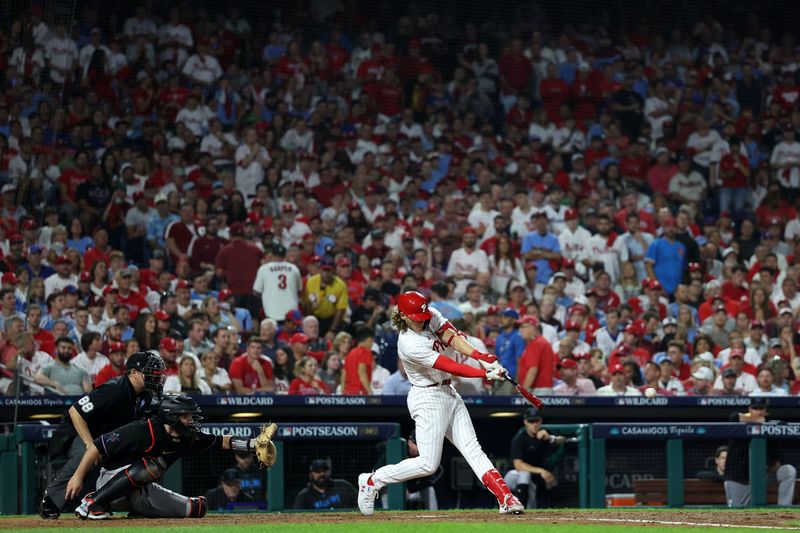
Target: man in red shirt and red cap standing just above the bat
point(537, 364)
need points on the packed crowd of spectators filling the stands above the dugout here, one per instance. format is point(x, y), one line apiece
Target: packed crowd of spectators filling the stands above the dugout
point(608, 210)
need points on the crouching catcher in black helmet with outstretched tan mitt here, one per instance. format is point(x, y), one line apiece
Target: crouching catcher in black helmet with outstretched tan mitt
point(135, 456)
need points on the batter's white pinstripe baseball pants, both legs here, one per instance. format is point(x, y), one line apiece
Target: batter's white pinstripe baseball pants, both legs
point(438, 412)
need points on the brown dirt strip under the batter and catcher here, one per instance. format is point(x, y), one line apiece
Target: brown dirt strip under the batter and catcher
point(632, 518)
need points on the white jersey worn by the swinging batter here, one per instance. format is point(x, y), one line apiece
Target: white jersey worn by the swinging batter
point(419, 352)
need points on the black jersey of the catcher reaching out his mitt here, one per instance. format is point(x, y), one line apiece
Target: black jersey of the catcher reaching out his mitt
point(148, 438)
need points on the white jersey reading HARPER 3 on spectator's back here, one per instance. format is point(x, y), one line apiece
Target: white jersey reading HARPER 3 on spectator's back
point(279, 283)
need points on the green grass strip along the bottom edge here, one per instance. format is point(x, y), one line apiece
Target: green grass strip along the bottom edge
point(394, 527)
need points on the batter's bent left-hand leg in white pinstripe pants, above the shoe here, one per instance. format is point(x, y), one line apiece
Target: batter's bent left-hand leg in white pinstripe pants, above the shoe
point(431, 412)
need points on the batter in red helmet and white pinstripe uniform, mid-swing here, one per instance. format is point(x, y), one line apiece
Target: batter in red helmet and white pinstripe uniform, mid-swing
point(426, 344)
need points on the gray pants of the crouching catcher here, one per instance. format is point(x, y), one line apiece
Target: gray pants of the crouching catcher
point(150, 501)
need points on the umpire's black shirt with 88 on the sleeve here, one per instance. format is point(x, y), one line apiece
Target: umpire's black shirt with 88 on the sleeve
point(111, 405)
